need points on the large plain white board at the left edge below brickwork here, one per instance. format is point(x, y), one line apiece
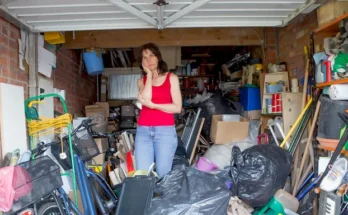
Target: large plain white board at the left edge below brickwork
point(12, 119)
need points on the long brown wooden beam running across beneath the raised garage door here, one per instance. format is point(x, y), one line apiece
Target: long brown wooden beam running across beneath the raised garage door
point(167, 37)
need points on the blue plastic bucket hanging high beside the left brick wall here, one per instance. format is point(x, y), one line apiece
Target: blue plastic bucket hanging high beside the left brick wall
point(93, 62)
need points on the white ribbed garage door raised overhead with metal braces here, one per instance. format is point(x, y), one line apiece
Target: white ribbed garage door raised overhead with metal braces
point(77, 15)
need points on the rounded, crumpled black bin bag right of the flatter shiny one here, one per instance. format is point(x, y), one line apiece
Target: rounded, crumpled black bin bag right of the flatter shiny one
point(258, 172)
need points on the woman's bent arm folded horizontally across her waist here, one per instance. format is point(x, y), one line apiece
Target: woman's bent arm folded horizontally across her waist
point(176, 106)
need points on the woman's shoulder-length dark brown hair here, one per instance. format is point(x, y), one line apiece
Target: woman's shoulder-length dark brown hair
point(162, 66)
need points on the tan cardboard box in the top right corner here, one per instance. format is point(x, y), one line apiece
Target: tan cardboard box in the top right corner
point(330, 10)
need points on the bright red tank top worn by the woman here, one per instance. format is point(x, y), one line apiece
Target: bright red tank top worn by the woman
point(160, 95)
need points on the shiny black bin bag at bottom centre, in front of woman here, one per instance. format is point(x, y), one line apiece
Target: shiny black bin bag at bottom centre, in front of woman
point(187, 191)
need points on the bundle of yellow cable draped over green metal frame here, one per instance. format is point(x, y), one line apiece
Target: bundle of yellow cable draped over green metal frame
point(48, 125)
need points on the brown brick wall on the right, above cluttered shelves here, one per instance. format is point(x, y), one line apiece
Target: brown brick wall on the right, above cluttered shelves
point(292, 39)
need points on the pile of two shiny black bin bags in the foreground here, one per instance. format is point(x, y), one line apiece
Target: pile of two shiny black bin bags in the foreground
point(256, 174)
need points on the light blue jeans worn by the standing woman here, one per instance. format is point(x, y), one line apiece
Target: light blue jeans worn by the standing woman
point(157, 144)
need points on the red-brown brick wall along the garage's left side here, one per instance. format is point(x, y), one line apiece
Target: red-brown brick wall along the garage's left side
point(80, 88)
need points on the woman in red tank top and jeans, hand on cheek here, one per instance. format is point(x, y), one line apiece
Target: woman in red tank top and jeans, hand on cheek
point(159, 93)
